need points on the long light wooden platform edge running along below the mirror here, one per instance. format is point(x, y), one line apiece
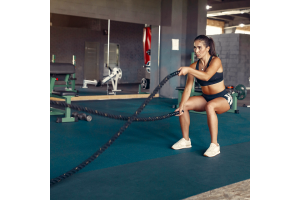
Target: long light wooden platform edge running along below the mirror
point(106, 97)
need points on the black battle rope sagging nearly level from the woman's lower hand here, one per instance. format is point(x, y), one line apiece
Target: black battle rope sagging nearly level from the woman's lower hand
point(120, 117)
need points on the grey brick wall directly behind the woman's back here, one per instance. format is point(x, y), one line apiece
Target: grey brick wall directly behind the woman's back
point(234, 52)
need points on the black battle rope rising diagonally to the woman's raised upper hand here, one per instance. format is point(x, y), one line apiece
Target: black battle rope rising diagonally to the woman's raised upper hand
point(122, 129)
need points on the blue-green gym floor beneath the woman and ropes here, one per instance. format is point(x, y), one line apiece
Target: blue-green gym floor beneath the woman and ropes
point(140, 164)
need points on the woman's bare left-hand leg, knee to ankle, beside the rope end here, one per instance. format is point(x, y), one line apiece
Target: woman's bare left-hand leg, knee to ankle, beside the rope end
point(196, 103)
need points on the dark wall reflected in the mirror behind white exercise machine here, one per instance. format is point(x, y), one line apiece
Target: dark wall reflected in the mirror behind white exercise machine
point(66, 41)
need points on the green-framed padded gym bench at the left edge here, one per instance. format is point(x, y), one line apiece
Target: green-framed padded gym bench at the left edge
point(62, 70)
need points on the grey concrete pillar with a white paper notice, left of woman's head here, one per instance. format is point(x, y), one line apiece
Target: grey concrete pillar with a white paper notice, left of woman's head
point(183, 20)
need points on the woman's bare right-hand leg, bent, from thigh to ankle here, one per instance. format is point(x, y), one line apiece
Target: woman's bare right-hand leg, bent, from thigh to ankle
point(216, 106)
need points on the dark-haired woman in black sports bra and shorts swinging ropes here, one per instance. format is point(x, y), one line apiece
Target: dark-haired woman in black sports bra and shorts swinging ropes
point(208, 72)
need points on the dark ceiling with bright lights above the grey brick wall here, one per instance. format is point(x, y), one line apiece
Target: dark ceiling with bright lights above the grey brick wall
point(232, 12)
